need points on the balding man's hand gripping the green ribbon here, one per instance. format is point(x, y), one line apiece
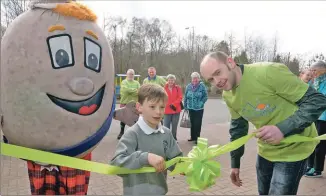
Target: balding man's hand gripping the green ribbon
point(270, 134)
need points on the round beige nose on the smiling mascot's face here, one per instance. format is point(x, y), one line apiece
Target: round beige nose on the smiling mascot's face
point(81, 86)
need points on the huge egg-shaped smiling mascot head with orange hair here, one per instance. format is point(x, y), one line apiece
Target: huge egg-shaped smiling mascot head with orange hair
point(57, 79)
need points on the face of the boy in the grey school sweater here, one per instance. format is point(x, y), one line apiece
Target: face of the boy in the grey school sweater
point(152, 111)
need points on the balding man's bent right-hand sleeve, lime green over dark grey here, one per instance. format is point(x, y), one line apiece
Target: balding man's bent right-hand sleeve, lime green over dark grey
point(290, 87)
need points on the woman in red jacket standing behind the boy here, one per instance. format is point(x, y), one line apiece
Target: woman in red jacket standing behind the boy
point(173, 106)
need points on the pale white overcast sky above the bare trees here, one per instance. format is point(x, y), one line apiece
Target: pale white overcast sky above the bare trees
point(300, 25)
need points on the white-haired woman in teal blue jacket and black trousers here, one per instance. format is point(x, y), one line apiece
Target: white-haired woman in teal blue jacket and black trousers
point(194, 101)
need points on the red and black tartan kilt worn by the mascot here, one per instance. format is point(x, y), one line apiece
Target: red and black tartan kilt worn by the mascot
point(66, 181)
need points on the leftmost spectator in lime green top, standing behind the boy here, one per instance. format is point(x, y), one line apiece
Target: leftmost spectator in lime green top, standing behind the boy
point(129, 93)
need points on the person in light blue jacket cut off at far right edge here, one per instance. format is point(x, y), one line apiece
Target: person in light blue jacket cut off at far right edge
point(317, 158)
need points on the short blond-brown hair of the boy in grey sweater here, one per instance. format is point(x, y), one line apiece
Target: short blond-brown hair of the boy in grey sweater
point(151, 92)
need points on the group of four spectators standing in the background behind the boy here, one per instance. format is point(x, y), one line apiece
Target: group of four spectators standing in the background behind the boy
point(193, 101)
